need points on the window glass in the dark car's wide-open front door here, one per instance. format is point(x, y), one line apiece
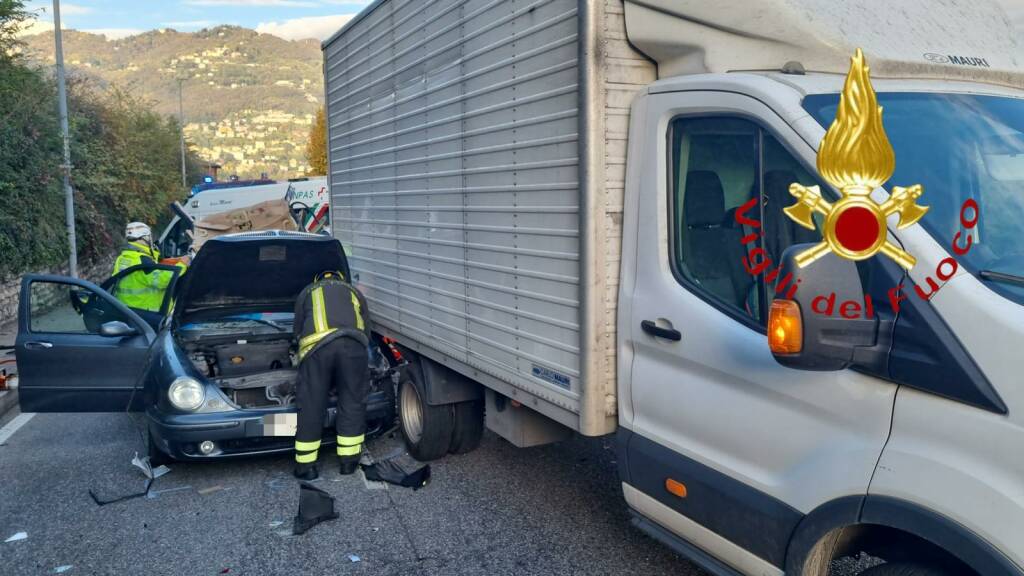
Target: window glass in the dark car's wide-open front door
point(67, 309)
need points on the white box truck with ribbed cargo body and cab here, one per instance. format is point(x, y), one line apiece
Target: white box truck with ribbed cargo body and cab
point(569, 216)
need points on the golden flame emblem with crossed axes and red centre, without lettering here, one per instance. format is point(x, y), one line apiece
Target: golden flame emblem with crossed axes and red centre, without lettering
point(856, 156)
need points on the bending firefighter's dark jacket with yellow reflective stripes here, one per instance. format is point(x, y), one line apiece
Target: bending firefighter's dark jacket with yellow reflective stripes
point(328, 310)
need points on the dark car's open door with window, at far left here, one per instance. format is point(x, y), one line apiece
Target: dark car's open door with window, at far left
point(78, 348)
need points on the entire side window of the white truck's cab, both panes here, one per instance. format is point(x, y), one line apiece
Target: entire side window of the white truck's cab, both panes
point(731, 184)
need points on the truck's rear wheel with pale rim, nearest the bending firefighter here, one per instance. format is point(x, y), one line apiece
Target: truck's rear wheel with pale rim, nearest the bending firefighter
point(428, 429)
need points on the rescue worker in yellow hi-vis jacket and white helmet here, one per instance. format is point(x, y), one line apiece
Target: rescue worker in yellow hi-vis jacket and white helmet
point(142, 291)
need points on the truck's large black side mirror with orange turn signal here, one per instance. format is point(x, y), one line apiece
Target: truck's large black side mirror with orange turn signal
point(822, 324)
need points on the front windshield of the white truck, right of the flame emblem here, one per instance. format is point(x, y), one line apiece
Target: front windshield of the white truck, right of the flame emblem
point(960, 147)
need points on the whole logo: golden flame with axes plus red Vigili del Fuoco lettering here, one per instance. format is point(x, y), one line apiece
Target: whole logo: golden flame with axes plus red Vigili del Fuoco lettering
point(856, 157)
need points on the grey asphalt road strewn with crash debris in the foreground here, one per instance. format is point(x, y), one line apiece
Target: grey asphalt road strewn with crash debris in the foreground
point(553, 510)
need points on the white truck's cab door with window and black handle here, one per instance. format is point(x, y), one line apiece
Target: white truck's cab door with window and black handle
point(756, 445)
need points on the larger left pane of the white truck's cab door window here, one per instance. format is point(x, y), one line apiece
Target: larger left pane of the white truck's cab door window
point(714, 173)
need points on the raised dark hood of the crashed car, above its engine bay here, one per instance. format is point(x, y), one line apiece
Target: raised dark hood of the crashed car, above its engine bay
point(257, 269)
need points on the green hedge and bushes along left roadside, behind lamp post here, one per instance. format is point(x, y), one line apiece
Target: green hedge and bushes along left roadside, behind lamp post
point(125, 156)
